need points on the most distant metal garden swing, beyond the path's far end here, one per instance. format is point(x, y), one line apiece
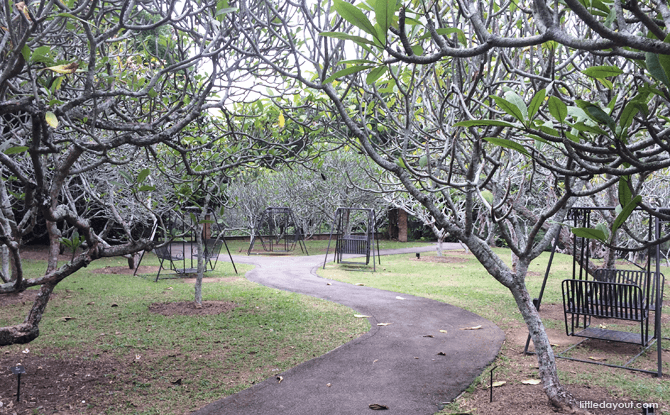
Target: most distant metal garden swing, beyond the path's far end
point(278, 232)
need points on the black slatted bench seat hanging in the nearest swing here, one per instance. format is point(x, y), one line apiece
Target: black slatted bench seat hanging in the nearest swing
point(613, 293)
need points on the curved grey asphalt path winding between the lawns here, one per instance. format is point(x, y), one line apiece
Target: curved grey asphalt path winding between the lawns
point(394, 365)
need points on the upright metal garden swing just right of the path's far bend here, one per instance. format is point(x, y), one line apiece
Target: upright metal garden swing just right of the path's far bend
point(355, 235)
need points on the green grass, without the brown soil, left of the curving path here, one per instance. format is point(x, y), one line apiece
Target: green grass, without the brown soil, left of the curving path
point(268, 332)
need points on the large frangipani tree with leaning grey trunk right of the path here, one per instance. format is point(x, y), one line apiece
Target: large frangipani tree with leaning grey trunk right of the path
point(530, 101)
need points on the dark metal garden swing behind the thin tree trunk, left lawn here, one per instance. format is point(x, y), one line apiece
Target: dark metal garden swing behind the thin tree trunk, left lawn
point(179, 251)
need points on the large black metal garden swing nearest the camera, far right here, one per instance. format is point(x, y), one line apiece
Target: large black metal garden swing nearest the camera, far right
point(622, 294)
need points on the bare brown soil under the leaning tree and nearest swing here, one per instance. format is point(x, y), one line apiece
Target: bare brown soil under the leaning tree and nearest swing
point(514, 367)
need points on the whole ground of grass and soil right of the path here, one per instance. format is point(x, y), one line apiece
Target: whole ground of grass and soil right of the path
point(458, 279)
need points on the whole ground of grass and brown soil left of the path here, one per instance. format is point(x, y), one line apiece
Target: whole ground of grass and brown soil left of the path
point(113, 343)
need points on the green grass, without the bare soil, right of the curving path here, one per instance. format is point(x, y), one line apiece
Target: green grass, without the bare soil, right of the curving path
point(467, 285)
